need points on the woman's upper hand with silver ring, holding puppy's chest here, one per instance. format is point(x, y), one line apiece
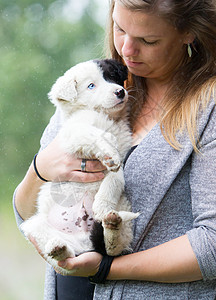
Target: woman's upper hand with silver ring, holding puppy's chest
point(54, 164)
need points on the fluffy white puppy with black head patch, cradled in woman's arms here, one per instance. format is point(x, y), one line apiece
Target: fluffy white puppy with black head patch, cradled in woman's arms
point(72, 217)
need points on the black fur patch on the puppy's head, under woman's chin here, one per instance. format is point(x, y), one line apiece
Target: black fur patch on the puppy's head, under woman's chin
point(113, 70)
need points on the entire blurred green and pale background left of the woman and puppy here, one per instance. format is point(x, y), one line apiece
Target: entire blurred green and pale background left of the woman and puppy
point(40, 40)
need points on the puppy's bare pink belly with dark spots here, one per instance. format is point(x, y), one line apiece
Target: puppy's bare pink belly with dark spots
point(74, 219)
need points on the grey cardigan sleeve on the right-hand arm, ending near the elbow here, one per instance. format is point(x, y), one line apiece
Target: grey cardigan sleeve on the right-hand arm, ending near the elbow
point(203, 197)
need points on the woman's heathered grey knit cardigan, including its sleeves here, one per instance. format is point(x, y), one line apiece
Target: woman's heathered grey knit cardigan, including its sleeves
point(176, 193)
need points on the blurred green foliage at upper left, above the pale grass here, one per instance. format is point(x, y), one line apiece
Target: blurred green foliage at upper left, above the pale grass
point(37, 45)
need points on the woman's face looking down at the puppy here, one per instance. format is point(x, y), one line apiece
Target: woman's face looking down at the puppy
point(150, 46)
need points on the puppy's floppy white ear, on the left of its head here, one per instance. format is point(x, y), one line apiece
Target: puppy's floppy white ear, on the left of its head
point(64, 89)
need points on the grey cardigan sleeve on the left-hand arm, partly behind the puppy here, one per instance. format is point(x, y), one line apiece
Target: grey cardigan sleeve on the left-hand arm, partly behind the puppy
point(48, 135)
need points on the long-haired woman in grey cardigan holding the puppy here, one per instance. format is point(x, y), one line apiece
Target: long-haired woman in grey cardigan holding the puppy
point(169, 48)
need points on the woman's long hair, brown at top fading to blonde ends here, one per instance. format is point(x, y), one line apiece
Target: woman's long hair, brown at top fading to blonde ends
point(194, 83)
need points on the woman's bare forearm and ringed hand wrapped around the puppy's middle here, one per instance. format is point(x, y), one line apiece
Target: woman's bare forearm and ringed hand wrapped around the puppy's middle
point(53, 164)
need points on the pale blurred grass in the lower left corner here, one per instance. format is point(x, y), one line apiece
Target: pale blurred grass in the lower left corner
point(22, 270)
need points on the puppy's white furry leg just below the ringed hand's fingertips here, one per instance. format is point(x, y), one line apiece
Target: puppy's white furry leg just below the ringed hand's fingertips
point(108, 195)
